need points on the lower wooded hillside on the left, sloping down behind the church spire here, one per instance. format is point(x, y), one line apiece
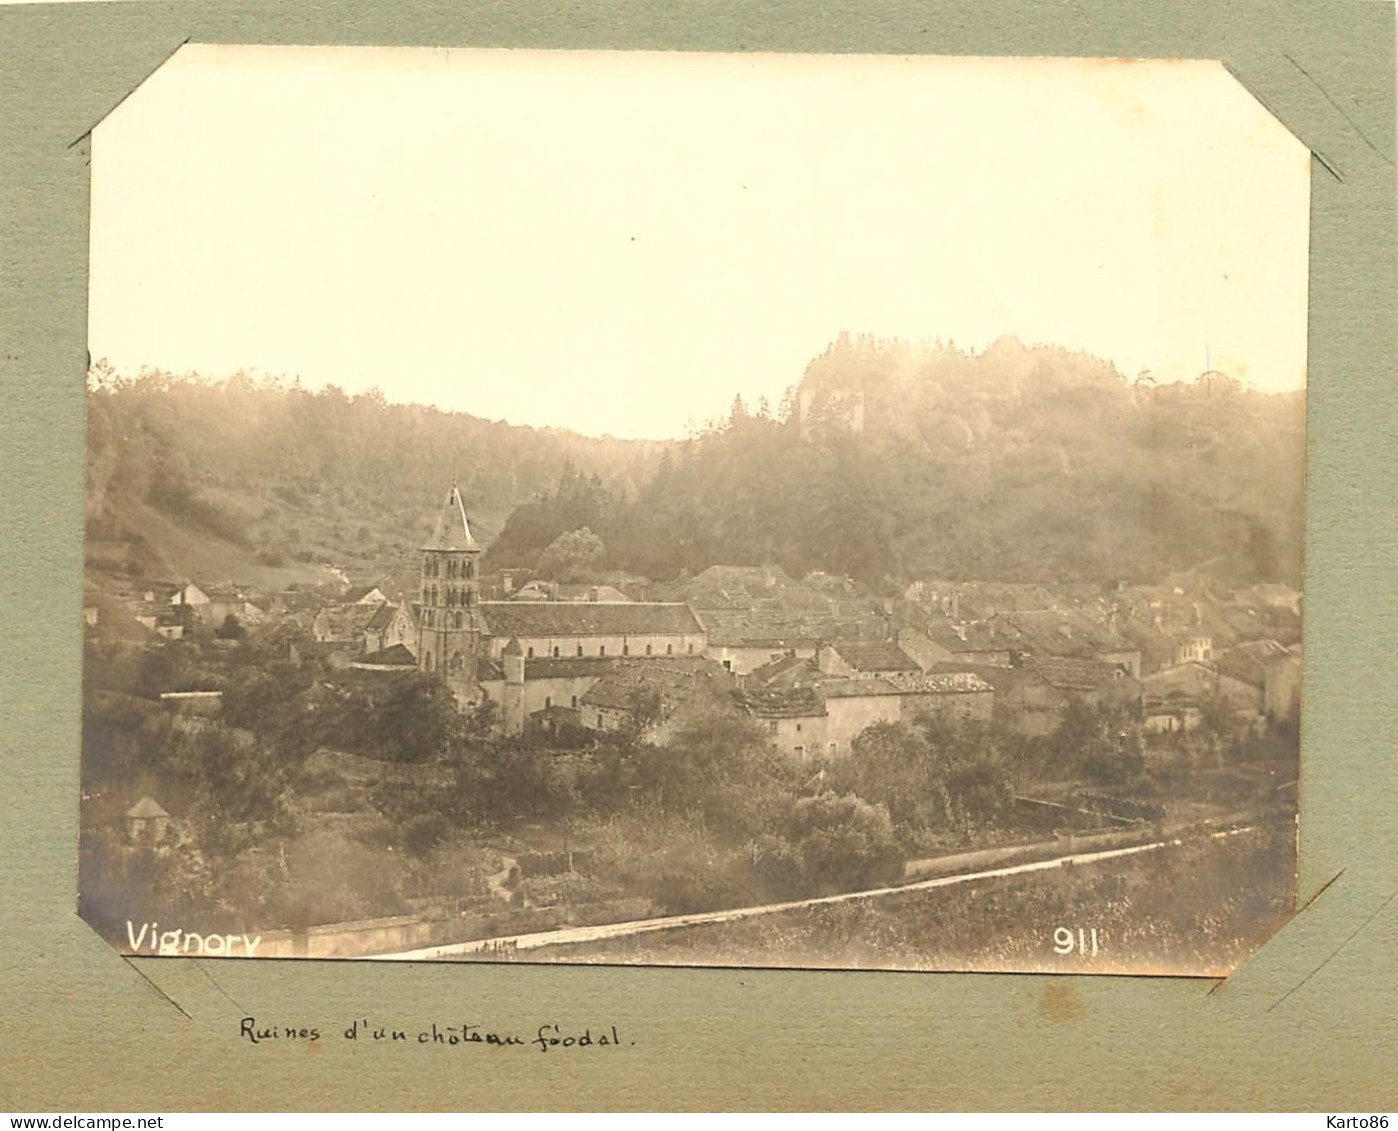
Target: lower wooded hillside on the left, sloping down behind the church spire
point(261, 480)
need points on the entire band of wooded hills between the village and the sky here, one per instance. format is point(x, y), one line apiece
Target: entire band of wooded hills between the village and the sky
point(1014, 465)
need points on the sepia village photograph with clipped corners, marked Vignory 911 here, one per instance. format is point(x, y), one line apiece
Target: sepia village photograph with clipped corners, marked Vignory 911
point(767, 511)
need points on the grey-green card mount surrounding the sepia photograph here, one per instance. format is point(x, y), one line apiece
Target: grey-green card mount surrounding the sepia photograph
point(1306, 1024)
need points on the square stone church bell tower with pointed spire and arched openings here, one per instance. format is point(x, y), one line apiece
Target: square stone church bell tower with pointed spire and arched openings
point(449, 620)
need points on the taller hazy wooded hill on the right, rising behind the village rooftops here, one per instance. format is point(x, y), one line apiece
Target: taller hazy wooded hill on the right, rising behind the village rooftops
point(1014, 465)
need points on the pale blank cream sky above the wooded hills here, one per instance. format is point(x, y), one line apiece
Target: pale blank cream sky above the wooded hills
point(620, 243)
